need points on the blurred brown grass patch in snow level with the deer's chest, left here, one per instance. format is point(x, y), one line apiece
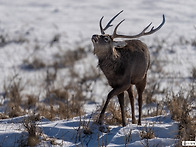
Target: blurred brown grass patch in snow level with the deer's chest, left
point(62, 59)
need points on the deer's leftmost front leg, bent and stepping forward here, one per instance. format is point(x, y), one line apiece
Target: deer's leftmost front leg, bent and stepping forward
point(115, 91)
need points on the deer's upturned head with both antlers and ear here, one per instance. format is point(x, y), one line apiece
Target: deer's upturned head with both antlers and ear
point(104, 42)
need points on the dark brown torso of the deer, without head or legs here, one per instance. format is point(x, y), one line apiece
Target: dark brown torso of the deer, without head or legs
point(129, 67)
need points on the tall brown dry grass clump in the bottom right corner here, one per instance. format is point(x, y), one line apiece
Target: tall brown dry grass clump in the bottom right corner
point(181, 106)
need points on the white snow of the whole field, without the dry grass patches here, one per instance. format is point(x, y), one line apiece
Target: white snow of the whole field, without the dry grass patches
point(42, 29)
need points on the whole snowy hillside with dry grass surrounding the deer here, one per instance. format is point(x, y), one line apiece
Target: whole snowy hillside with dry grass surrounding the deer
point(47, 64)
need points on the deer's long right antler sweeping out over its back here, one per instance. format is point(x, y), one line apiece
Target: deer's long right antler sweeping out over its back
point(115, 35)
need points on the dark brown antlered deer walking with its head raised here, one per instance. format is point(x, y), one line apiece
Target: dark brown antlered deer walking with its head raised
point(124, 63)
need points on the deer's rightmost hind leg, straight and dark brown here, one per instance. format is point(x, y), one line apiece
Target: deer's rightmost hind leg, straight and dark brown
point(140, 89)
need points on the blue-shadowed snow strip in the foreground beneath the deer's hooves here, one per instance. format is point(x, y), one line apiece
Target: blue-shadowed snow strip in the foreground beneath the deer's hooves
point(163, 127)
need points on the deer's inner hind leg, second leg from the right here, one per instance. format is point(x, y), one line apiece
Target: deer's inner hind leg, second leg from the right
point(131, 97)
